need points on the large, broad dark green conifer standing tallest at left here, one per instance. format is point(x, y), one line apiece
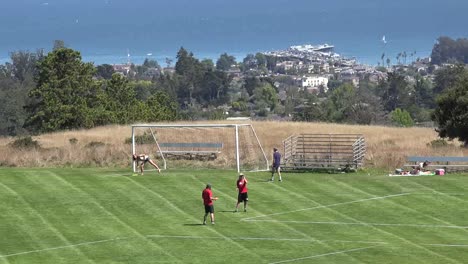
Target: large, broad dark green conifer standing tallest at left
point(65, 89)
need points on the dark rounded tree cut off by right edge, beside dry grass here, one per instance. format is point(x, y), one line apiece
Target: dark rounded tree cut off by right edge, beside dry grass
point(451, 113)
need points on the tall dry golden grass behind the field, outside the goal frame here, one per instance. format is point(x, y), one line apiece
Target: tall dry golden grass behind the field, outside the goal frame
point(387, 147)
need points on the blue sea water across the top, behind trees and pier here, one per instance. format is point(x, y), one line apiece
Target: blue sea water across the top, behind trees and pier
point(105, 31)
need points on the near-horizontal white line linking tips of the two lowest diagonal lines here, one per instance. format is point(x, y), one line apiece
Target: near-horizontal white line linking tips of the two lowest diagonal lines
point(267, 239)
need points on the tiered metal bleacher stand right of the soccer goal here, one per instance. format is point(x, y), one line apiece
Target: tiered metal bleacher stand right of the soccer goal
point(336, 152)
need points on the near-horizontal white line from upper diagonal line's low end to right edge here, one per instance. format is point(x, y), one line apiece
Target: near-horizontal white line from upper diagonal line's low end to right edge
point(360, 223)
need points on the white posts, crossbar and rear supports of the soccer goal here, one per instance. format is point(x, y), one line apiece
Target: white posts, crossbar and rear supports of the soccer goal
point(235, 126)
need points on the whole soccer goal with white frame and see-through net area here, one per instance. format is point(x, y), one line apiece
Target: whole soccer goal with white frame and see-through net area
point(227, 146)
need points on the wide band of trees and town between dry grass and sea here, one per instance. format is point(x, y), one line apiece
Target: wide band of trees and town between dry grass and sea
point(57, 91)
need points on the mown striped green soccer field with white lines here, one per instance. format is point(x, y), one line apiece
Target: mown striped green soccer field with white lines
point(109, 216)
